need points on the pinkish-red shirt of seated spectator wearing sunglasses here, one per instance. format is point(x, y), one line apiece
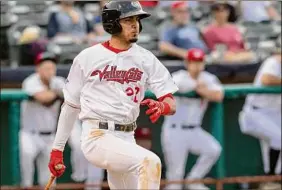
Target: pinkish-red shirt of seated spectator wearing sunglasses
point(228, 35)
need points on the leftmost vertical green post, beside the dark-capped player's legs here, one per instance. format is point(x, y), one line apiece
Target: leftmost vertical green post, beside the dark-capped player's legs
point(14, 123)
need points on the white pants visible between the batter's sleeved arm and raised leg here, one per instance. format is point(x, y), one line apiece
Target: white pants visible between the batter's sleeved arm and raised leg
point(81, 168)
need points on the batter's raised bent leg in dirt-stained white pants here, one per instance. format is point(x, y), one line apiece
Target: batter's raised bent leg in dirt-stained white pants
point(138, 167)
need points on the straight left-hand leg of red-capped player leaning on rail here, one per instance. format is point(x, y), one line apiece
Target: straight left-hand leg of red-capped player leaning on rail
point(174, 144)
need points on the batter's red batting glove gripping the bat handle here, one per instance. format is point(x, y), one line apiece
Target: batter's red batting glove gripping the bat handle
point(56, 164)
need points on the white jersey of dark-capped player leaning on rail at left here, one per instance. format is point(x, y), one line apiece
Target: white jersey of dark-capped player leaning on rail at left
point(34, 116)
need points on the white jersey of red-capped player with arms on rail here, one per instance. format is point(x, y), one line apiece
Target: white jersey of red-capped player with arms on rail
point(190, 111)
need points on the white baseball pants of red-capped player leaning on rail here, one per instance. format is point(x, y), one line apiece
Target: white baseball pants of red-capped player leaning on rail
point(177, 143)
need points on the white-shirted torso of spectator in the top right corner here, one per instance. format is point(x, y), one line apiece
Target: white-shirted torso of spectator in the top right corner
point(257, 11)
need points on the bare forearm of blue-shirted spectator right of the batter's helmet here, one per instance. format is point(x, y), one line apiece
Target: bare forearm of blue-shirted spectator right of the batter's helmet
point(172, 50)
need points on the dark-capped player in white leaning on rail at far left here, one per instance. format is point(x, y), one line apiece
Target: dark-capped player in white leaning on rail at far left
point(39, 117)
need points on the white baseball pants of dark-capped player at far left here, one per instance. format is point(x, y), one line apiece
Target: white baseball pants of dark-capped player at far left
point(34, 147)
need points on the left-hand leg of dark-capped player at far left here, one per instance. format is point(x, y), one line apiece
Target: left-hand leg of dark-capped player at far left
point(28, 153)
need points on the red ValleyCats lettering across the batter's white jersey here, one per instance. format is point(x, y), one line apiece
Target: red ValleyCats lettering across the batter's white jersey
point(121, 76)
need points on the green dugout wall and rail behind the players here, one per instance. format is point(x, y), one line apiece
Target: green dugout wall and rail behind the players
point(240, 156)
